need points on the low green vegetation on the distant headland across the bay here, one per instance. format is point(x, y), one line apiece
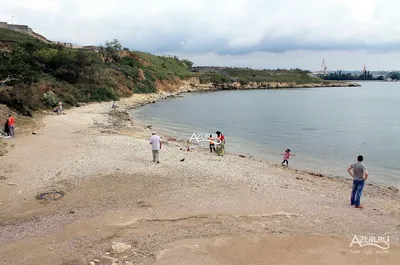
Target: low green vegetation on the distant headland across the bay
point(246, 75)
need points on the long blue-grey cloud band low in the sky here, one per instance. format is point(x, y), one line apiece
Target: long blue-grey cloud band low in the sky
point(166, 42)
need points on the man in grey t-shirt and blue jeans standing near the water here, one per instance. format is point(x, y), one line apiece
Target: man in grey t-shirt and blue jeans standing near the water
point(359, 173)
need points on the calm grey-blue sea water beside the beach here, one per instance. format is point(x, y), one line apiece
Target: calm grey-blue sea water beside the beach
point(325, 127)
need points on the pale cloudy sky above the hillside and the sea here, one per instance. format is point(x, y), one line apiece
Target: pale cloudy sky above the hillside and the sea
point(269, 34)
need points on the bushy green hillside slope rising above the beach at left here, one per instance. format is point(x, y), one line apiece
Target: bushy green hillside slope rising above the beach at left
point(35, 75)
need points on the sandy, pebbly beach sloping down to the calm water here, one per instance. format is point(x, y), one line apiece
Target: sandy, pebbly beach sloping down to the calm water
point(203, 210)
